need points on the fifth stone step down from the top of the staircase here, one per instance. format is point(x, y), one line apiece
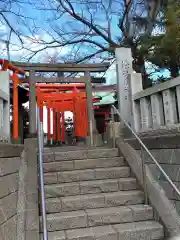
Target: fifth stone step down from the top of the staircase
point(91, 201)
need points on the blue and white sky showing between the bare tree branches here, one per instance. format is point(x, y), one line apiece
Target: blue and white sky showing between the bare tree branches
point(44, 22)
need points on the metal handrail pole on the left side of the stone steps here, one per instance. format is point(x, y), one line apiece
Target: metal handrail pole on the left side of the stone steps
point(41, 149)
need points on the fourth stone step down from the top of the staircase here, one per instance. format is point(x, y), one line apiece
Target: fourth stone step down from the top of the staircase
point(88, 187)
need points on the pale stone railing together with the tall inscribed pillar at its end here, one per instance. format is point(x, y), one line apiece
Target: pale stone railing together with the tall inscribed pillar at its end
point(152, 109)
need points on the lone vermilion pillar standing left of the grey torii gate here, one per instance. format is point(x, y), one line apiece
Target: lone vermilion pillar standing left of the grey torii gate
point(15, 108)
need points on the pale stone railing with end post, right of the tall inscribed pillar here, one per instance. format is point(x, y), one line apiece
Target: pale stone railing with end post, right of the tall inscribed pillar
point(157, 107)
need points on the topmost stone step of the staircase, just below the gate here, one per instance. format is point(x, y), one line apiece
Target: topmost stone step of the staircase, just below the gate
point(82, 154)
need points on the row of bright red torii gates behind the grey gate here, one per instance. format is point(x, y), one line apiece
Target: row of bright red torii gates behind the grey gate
point(61, 98)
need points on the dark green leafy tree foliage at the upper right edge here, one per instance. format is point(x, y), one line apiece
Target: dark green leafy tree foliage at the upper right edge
point(163, 49)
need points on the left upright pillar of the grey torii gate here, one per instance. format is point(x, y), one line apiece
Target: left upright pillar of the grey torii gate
point(32, 104)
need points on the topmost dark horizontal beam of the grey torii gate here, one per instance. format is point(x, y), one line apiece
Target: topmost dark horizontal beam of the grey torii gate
point(62, 67)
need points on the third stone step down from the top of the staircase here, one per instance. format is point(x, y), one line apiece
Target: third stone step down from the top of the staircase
point(85, 175)
